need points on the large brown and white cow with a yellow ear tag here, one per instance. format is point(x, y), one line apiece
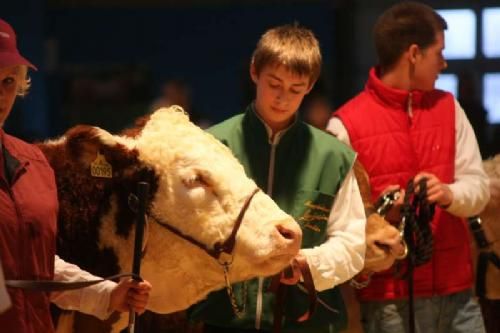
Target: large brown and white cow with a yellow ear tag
point(197, 187)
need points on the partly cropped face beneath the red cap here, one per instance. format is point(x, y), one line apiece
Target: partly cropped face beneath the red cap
point(9, 81)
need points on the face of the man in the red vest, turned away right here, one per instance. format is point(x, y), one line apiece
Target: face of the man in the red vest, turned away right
point(428, 64)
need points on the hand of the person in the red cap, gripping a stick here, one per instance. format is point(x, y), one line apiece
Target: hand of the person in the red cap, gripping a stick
point(130, 295)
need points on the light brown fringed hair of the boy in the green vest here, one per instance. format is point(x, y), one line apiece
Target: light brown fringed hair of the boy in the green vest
point(292, 46)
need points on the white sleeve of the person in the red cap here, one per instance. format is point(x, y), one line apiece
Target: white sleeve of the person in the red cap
point(92, 300)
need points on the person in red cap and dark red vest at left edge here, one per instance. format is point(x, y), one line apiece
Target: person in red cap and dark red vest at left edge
point(28, 220)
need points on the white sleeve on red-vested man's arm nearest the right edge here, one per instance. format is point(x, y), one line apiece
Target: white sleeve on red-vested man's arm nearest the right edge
point(470, 188)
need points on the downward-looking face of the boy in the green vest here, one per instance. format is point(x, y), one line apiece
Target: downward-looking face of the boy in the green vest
point(279, 94)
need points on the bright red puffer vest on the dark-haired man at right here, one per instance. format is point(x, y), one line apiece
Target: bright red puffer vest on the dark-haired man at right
point(394, 147)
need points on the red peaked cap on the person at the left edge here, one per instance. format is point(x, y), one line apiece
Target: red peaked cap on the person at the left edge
point(9, 55)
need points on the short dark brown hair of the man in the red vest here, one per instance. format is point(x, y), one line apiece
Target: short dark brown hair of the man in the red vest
point(404, 24)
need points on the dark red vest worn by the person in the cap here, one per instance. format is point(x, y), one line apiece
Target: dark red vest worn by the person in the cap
point(28, 217)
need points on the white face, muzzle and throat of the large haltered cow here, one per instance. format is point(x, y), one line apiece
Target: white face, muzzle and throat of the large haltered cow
point(201, 190)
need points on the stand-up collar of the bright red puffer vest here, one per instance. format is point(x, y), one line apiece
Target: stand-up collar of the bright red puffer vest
point(393, 97)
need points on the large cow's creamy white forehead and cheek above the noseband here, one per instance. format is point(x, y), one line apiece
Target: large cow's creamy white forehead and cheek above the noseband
point(179, 152)
